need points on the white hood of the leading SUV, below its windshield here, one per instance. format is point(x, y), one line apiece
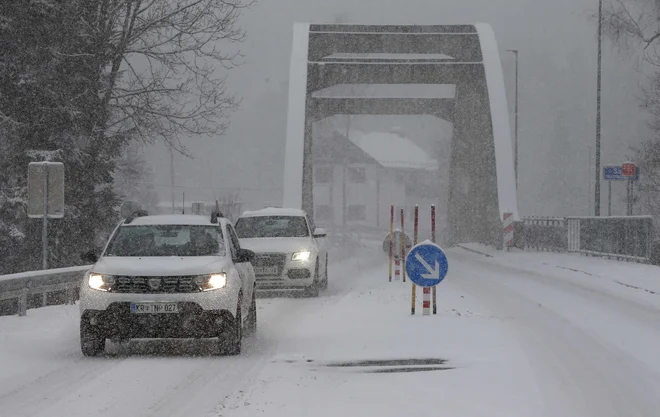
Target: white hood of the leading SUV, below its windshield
point(160, 265)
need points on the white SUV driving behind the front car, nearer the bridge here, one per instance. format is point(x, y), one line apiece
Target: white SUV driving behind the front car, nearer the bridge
point(290, 254)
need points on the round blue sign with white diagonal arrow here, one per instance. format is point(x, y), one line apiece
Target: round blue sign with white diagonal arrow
point(426, 264)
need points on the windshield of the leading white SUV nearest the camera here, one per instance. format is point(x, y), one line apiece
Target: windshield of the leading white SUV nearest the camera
point(167, 240)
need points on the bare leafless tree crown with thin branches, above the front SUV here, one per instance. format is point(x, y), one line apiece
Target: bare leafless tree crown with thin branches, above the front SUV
point(161, 65)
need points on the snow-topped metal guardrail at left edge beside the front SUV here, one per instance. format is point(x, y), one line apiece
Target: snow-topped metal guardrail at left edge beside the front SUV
point(32, 289)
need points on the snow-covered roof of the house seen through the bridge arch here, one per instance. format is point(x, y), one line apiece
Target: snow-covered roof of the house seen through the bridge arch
point(393, 151)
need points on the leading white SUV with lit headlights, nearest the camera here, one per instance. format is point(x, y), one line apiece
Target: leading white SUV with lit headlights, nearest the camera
point(169, 276)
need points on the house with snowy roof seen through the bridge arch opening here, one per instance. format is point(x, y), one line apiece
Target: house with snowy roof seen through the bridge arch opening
point(356, 180)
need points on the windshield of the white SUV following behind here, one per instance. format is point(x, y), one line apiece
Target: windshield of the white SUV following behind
point(271, 226)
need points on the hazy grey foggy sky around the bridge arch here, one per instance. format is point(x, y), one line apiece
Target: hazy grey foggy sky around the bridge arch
point(557, 43)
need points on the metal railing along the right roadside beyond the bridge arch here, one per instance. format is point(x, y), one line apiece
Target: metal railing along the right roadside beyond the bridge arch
point(626, 238)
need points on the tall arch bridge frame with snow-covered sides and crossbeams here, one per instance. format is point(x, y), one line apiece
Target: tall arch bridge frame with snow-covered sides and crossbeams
point(482, 181)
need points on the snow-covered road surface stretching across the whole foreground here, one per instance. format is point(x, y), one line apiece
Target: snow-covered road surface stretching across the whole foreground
point(511, 338)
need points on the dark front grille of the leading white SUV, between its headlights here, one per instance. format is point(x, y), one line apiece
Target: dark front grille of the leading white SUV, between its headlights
point(155, 285)
